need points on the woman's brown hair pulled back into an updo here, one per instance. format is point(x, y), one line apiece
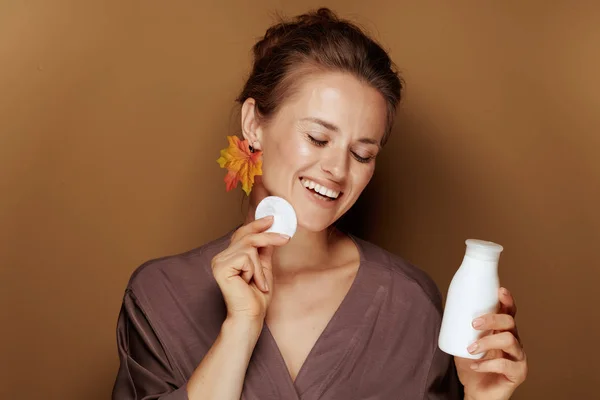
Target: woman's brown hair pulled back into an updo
point(314, 41)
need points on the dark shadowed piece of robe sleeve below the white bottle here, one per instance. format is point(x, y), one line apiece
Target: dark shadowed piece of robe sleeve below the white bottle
point(442, 380)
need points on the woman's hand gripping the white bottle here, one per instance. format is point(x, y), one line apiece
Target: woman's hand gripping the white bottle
point(504, 366)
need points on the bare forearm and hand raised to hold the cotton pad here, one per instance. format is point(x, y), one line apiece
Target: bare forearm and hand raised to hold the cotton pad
point(244, 275)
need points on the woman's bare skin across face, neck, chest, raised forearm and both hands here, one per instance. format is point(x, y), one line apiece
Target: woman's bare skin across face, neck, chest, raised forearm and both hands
point(329, 131)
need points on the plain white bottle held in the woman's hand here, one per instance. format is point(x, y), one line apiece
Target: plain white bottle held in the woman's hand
point(472, 293)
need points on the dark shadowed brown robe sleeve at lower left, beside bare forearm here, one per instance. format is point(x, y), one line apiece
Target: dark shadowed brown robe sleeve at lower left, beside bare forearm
point(145, 371)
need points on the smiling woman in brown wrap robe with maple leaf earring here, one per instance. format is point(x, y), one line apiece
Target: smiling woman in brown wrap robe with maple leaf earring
point(324, 315)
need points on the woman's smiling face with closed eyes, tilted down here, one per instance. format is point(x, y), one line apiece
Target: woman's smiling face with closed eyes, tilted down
point(319, 148)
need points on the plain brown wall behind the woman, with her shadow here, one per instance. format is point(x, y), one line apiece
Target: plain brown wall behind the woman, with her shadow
point(112, 114)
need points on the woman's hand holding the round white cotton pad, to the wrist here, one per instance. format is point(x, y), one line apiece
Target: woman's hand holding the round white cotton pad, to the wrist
point(244, 272)
